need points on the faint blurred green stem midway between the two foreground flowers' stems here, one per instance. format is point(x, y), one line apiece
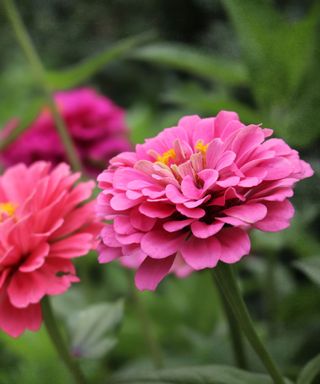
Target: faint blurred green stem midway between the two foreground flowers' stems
point(146, 325)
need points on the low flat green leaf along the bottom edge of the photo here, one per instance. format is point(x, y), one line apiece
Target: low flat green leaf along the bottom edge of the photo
point(214, 374)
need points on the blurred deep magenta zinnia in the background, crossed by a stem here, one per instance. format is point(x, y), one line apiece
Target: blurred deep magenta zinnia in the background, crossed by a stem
point(96, 125)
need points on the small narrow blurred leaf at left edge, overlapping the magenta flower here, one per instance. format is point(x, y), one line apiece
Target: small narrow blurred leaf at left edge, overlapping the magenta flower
point(21, 124)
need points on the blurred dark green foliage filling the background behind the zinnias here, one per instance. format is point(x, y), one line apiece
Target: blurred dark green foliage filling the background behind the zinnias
point(161, 60)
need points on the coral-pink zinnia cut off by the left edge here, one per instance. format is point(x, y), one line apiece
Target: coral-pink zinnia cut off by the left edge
point(45, 222)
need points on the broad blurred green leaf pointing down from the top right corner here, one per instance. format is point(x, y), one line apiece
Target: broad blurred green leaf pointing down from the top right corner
point(277, 52)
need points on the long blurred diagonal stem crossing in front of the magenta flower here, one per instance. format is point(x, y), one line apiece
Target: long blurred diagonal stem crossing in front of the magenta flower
point(31, 54)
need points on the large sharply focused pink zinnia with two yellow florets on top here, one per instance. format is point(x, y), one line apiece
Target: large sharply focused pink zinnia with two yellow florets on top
point(191, 194)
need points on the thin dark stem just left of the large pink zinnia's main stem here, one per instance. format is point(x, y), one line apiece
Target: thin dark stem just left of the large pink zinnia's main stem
point(235, 332)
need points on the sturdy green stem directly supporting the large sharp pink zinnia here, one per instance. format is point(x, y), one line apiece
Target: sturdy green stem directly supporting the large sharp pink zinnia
point(225, 278)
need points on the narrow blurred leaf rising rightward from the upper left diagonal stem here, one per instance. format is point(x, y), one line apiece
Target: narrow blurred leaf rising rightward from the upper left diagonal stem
point(71, 77)
